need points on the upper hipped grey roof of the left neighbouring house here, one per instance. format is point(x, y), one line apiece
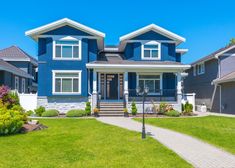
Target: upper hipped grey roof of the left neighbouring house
point(15, 53)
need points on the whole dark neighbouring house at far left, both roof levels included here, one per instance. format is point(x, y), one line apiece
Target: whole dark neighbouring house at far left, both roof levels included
point(18, 70)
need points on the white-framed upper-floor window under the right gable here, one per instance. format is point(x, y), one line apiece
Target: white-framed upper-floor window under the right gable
point(151, 50)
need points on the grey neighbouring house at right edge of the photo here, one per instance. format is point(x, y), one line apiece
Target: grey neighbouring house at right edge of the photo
point(212, 78)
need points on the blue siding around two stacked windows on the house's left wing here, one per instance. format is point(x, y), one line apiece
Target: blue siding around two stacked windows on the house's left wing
point(47, 64)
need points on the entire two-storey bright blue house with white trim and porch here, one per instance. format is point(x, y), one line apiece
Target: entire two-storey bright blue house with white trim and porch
point(74, 64)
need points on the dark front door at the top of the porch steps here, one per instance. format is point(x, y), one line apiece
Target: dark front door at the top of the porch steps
point(112, 86)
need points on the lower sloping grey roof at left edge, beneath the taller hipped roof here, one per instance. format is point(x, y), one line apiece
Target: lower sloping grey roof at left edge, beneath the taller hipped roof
point(5, 66)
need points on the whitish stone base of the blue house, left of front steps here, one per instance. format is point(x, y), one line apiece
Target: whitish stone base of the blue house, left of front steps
point(62, 104)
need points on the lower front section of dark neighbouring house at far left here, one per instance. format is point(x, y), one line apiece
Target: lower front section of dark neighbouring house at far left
point(13, 77)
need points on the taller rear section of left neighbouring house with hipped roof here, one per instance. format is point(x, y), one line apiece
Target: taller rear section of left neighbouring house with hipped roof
point(20, 59)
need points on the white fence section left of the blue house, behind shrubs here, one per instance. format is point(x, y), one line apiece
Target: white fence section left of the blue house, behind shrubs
point(28, 101)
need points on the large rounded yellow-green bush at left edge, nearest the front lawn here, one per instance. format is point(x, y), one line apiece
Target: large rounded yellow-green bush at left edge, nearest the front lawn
point(11, 121)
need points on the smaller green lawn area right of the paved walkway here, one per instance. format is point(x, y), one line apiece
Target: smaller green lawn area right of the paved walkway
point(219, 131)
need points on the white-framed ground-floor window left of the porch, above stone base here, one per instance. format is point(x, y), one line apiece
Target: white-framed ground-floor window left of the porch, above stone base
point(66, 82)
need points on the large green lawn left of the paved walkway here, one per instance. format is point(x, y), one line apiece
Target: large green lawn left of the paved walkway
point(84, 143)
